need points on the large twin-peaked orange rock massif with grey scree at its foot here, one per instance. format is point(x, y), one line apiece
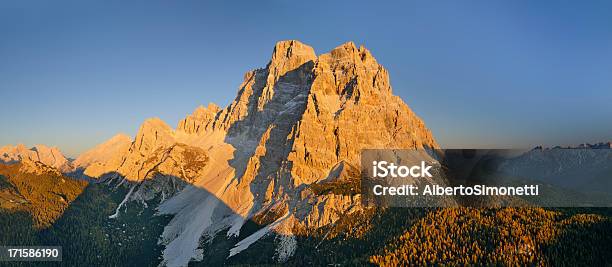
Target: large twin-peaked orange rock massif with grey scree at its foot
point(296, 124)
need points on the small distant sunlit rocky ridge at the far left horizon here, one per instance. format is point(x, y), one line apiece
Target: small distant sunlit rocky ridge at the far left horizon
point(50, 156)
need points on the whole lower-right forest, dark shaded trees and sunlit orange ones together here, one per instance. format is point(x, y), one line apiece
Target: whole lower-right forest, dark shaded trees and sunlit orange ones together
point(452, 236)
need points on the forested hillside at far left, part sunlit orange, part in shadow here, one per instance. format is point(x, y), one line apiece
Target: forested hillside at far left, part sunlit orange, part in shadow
point(37, 215)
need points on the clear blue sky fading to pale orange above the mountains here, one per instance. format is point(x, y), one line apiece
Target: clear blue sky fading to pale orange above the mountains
point(481, 74)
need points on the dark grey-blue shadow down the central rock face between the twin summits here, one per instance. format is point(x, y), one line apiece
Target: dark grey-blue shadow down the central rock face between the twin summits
point(276, 119)
